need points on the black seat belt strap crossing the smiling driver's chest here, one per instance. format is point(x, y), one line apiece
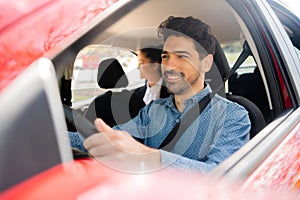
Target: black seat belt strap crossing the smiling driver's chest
point(172, 138)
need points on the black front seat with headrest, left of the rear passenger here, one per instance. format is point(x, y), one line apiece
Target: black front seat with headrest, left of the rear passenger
point(111, 106)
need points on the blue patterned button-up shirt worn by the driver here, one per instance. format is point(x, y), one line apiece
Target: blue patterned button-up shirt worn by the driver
point(221, 129)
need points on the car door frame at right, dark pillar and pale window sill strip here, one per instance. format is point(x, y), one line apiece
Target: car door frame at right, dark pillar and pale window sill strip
point(281, 81)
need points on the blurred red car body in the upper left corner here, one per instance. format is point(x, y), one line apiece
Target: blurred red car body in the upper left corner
point(31, 29)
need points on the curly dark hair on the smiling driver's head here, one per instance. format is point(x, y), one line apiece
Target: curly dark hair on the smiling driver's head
point(199, 31)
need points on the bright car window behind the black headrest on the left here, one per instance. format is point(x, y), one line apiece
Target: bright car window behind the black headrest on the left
point(84, 79)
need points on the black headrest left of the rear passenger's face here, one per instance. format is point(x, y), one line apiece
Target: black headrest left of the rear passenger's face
point(111, 74)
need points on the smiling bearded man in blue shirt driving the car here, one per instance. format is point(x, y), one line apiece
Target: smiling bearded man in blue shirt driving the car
point(220, 130)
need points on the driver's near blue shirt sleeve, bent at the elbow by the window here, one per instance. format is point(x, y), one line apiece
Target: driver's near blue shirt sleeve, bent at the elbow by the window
point(231, 137)
